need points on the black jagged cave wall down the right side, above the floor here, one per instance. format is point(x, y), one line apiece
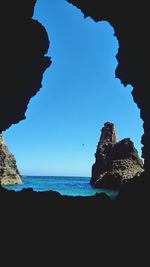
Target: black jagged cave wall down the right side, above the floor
point(130, 22)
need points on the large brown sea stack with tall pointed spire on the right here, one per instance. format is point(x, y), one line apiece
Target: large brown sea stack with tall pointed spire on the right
point(116, 161)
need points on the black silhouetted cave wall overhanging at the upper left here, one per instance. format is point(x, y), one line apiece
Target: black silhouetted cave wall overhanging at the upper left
point(23, 47)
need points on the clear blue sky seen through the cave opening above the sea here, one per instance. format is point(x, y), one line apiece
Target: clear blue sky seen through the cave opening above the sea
point(79, 94)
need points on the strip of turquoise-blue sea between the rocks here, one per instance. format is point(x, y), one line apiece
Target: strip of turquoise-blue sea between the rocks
point(65, 185)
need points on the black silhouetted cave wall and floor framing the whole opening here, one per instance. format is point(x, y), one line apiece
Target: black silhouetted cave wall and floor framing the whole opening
point(67, 224)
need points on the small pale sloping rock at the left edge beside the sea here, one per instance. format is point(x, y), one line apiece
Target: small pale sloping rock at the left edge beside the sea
point(9, 173)
